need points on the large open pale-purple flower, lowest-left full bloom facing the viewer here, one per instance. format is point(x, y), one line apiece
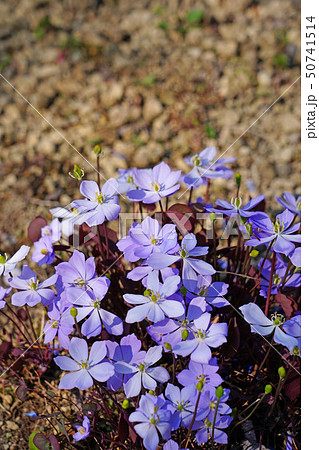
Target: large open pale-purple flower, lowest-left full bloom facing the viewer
point(84, 367)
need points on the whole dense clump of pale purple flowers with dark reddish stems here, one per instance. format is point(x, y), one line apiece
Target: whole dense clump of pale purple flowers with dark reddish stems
point(149, 322)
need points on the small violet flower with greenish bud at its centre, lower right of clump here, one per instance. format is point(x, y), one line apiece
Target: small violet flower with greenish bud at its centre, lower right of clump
point(206, 373)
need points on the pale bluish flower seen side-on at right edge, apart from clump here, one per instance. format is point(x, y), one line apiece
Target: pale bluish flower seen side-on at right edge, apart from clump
point(259, 323)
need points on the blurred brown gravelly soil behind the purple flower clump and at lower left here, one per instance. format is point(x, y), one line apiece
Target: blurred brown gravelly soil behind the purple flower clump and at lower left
point(150, 81)
